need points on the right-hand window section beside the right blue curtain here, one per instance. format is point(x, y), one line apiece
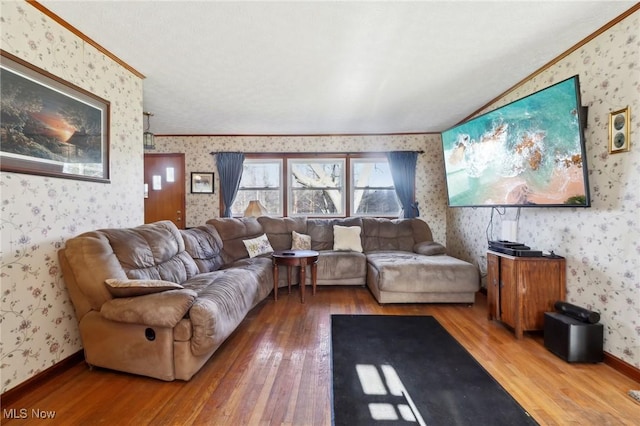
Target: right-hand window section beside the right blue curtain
point(372, 190)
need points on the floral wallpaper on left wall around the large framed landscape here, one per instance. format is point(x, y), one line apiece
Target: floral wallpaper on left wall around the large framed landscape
point(38, 213)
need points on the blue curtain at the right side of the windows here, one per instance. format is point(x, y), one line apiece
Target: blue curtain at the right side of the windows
point(403, 171)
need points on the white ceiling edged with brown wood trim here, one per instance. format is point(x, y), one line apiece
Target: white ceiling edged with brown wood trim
point(329, 67)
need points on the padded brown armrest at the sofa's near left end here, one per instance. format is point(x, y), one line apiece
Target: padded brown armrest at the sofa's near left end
point(163, 309)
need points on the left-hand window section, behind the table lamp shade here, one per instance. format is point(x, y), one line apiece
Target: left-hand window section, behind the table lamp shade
point(261, 180)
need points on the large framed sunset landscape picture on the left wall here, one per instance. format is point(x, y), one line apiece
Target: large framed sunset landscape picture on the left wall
point(50, 127)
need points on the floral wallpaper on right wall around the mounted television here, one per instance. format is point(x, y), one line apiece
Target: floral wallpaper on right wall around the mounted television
point(601, 243)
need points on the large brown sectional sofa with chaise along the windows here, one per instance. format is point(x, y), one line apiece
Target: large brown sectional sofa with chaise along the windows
point(213, 284)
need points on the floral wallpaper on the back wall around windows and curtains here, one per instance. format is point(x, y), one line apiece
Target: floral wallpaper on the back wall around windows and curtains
point(430, 187)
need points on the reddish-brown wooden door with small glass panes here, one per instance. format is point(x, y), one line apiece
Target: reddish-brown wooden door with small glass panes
point(164, 188)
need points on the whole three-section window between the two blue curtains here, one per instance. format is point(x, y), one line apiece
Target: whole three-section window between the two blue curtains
point(299, 184)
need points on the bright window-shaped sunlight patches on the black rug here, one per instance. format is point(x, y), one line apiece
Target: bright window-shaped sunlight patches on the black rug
point(393, 402)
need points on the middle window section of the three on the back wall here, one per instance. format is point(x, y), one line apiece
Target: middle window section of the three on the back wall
point(316, 187)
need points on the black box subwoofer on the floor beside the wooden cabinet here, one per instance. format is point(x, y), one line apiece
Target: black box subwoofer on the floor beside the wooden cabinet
point(573, 340)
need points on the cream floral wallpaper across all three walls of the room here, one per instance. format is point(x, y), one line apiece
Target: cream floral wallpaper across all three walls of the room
point(601, 243)
